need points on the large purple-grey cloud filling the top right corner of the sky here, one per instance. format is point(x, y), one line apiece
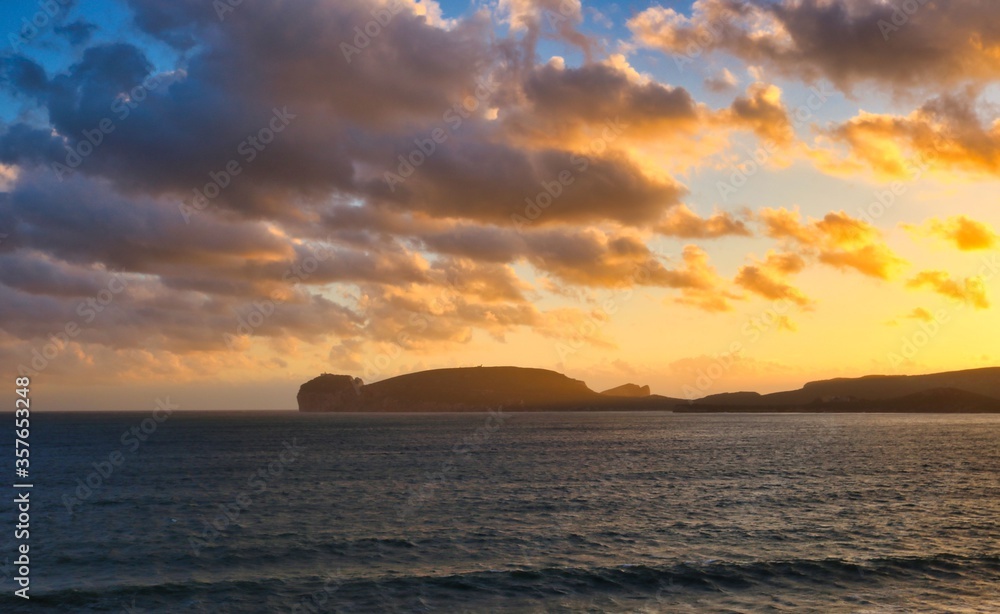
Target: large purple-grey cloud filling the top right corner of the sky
point(942, 44)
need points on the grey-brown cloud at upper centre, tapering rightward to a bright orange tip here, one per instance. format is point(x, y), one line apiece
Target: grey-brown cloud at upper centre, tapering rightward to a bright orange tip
point(609, 106)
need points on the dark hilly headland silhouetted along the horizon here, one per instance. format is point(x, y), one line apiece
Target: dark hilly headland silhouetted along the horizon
point(477, 389)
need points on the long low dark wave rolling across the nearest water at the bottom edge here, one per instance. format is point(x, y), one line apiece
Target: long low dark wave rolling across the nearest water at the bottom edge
point(710, 576)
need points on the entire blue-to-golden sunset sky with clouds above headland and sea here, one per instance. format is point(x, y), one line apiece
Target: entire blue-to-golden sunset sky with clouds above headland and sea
point(215, 202)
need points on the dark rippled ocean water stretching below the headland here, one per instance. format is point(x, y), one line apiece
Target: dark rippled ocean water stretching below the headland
point(577, 512)
